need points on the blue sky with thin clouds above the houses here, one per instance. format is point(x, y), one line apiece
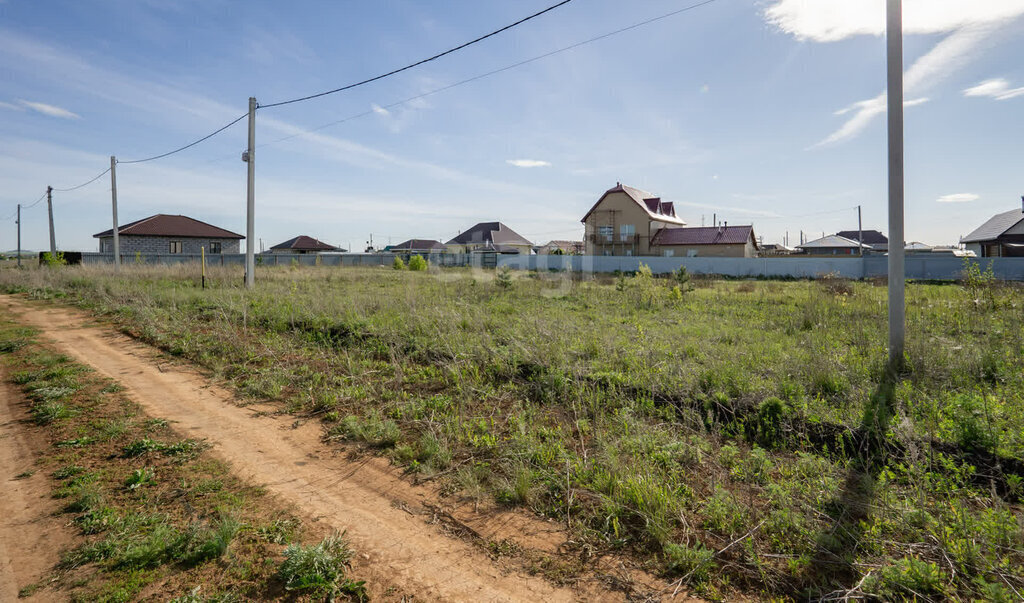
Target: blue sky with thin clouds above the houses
point(769, 112)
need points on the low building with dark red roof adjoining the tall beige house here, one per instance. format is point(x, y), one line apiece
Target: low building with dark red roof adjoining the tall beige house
point(734, 242)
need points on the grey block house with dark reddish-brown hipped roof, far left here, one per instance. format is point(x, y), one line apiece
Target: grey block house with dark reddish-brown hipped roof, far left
point(164, 234)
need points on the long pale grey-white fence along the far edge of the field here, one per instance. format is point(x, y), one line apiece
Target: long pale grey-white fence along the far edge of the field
point(918, 268)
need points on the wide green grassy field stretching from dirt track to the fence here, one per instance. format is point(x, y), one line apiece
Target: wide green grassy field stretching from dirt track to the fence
point(735, 437)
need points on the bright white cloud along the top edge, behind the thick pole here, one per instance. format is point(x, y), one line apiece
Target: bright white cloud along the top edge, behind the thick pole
point(831, 21)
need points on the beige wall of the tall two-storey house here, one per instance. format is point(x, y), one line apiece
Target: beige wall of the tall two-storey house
point(616, 210)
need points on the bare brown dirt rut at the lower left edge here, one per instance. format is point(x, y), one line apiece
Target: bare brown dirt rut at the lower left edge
point(32, 536)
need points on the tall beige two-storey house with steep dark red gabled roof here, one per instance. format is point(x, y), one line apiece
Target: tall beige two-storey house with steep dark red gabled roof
point(625, 220)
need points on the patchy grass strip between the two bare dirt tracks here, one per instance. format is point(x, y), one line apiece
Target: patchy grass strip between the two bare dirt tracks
point(156, 518)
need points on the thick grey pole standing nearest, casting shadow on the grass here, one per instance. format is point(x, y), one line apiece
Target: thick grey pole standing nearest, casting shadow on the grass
point(898, 285)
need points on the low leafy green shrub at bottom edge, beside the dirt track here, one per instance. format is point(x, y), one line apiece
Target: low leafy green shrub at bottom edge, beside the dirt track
point(320, 571)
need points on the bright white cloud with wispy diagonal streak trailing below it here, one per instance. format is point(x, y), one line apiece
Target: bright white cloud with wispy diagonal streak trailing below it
point(970, 25)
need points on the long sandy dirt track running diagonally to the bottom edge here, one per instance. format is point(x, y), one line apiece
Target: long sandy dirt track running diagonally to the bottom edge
point(383, 514)
